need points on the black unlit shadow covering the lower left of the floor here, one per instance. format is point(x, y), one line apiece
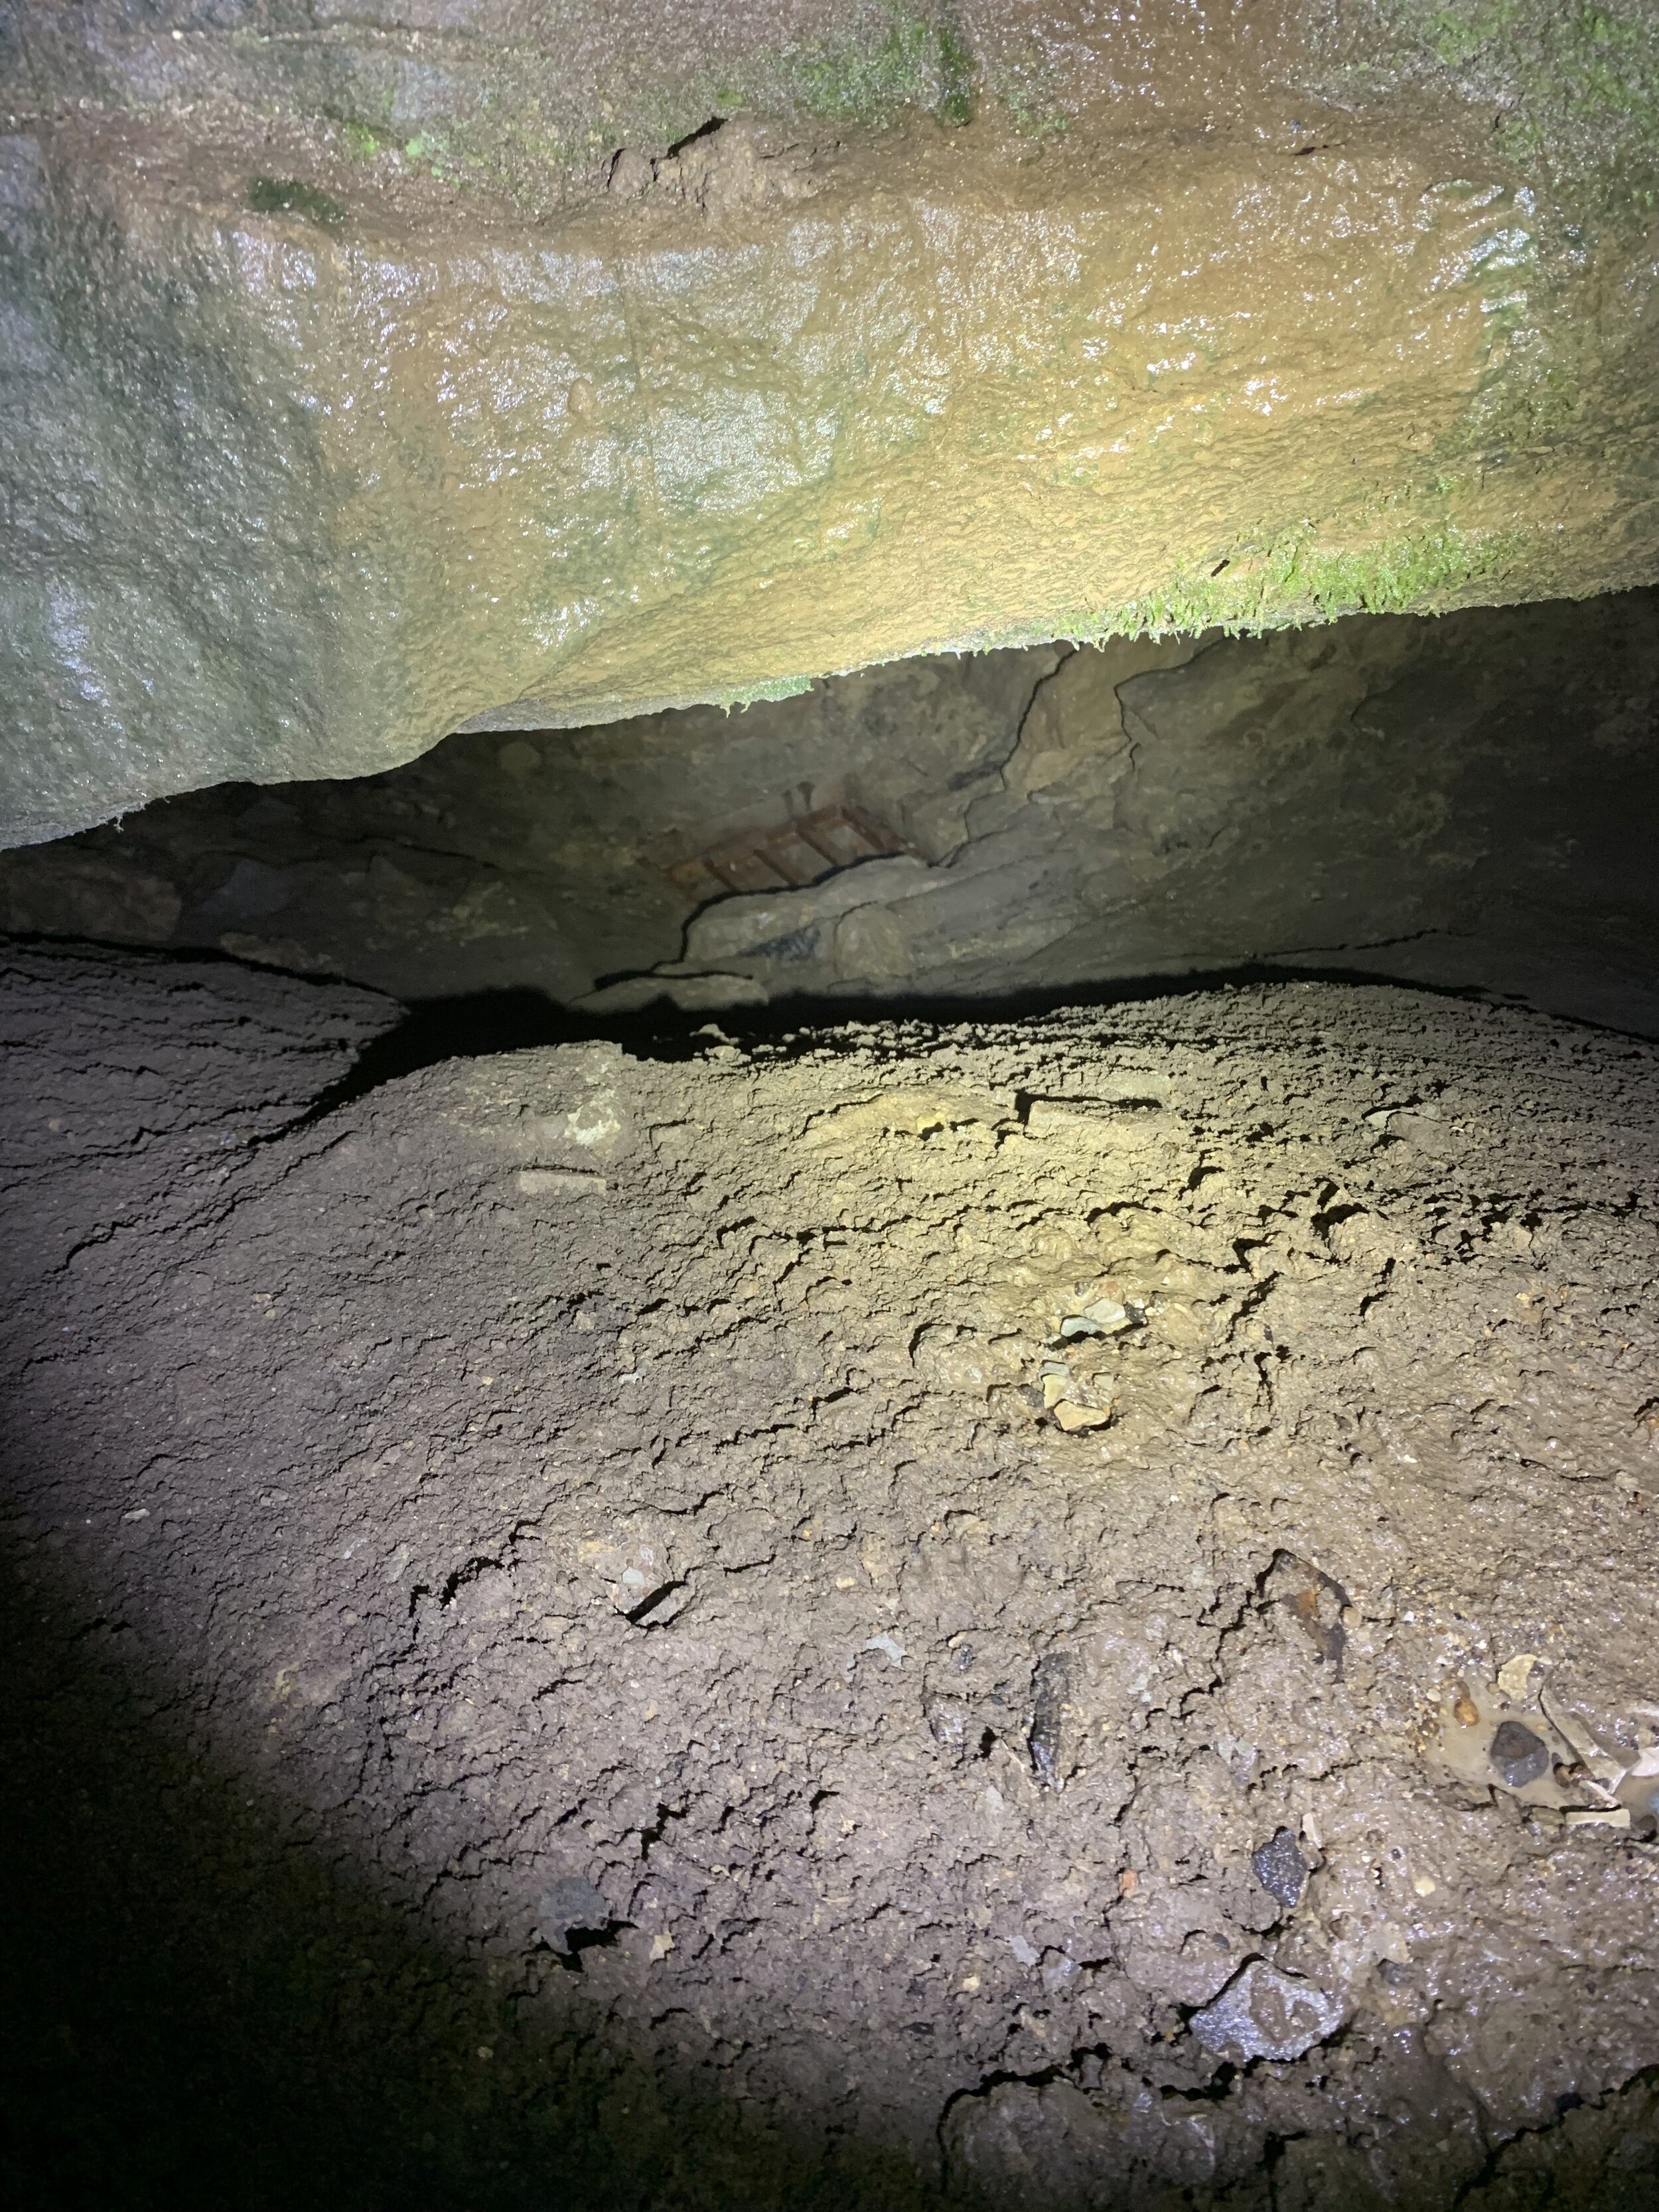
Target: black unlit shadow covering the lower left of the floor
point(200, 2007)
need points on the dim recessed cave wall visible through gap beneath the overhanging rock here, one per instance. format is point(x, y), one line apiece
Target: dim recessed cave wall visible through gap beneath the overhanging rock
point(1461, 802)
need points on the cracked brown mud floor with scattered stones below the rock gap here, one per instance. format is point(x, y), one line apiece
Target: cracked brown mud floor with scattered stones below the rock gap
point(1043, 1614)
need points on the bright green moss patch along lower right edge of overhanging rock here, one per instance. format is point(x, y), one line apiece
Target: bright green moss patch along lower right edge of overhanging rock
point(1295, 581)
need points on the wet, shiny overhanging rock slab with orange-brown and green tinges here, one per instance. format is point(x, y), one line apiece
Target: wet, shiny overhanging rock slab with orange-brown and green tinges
point(371, 382)
